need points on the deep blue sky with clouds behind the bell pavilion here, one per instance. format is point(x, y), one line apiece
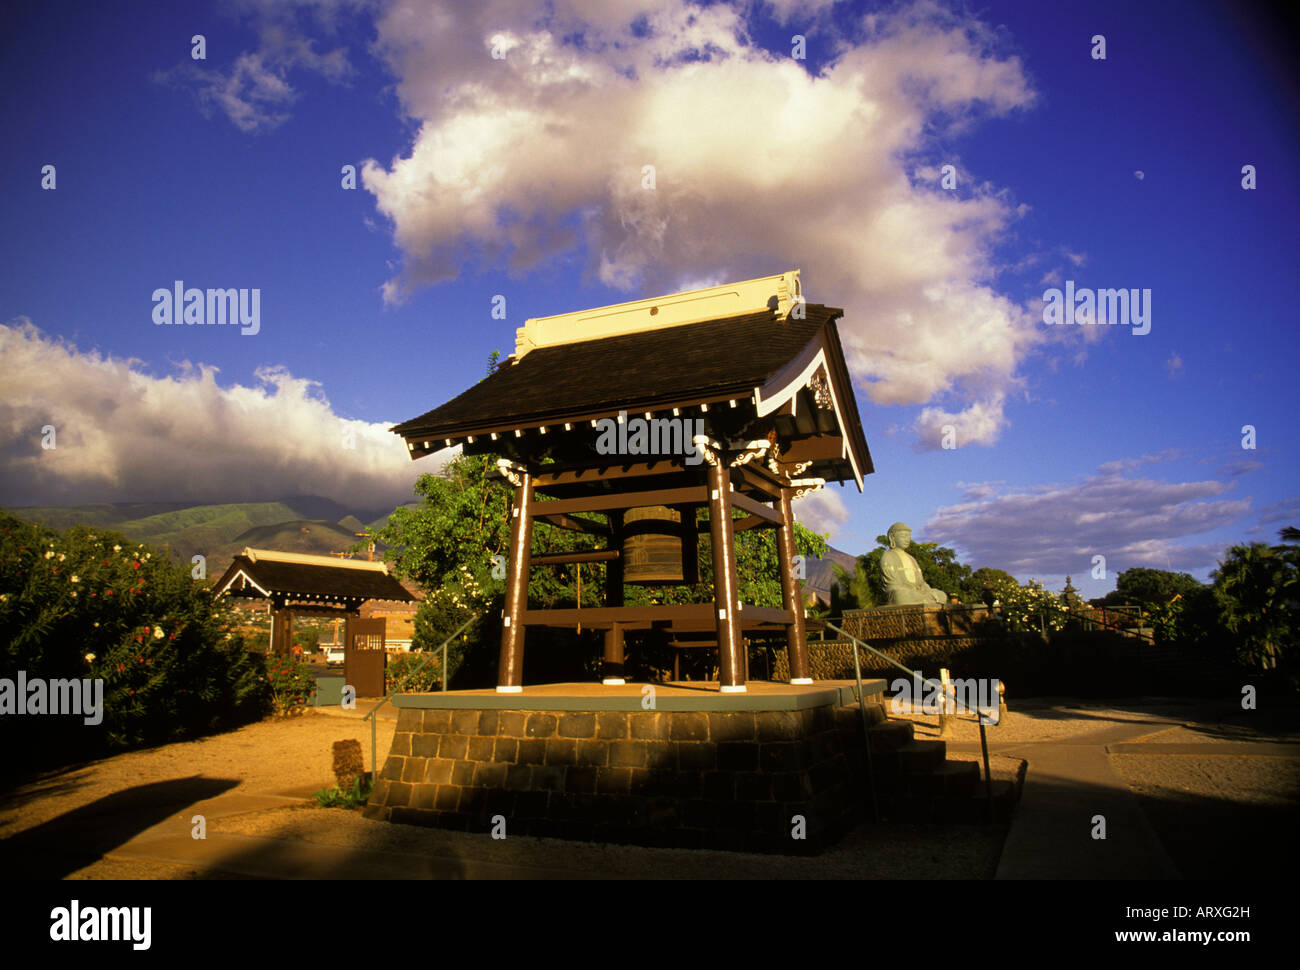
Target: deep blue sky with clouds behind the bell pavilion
point(521, 176)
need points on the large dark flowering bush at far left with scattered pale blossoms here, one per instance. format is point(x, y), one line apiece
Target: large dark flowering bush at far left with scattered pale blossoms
point(92, 604)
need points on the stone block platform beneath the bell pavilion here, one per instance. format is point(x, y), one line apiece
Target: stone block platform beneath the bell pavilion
point(586, 761)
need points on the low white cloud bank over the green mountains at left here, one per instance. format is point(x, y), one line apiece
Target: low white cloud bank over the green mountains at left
point(125, 436)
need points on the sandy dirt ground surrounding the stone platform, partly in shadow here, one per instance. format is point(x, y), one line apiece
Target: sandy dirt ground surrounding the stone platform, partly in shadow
point(92, 815)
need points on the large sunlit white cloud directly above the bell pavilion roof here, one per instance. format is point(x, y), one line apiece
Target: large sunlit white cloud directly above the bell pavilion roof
point(528, 159)
